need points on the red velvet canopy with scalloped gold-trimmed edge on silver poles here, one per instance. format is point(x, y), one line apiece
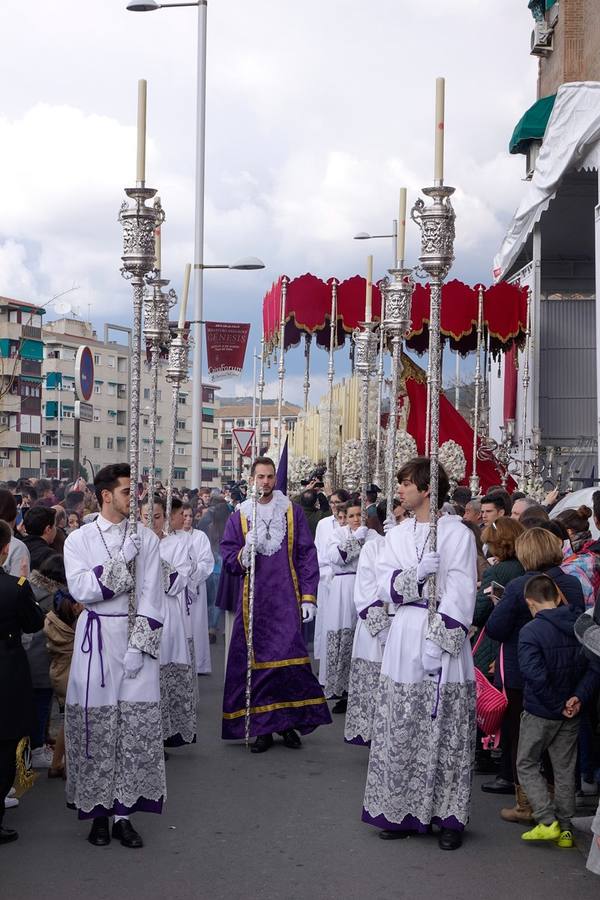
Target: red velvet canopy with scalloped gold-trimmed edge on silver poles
point(308, 311)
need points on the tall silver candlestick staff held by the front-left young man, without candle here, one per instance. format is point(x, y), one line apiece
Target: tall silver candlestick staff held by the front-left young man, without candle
point(139, 223)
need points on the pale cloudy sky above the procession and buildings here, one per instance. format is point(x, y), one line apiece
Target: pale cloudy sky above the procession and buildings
point(316, 114)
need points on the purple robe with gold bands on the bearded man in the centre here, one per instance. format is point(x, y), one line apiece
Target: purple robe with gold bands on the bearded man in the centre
point(285, 693)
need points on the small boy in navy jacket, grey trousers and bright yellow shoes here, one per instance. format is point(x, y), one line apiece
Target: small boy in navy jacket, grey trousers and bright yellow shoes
point(557, 681)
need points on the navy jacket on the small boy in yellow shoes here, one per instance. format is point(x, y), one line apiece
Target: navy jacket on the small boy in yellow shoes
point(552, 664)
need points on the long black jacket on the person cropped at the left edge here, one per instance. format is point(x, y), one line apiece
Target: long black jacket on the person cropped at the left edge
point(18, 613)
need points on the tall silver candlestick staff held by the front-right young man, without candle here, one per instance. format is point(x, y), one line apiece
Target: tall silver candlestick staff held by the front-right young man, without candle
point(437, 255)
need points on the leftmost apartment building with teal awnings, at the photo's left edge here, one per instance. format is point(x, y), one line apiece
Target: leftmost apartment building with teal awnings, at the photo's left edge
point(21, 354)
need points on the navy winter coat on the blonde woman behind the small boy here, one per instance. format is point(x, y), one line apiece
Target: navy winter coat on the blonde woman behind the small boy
point(511, 613)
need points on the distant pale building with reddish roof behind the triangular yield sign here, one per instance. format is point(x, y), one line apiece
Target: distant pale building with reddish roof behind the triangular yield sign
point(236, 412)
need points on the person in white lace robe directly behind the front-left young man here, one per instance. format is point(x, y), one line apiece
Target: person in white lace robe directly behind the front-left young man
point(177, 675)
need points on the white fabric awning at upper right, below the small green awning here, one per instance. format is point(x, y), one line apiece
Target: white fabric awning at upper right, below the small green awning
point(571, 142)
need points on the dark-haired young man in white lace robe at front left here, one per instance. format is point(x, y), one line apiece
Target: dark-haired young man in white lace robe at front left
point(114, 750)
